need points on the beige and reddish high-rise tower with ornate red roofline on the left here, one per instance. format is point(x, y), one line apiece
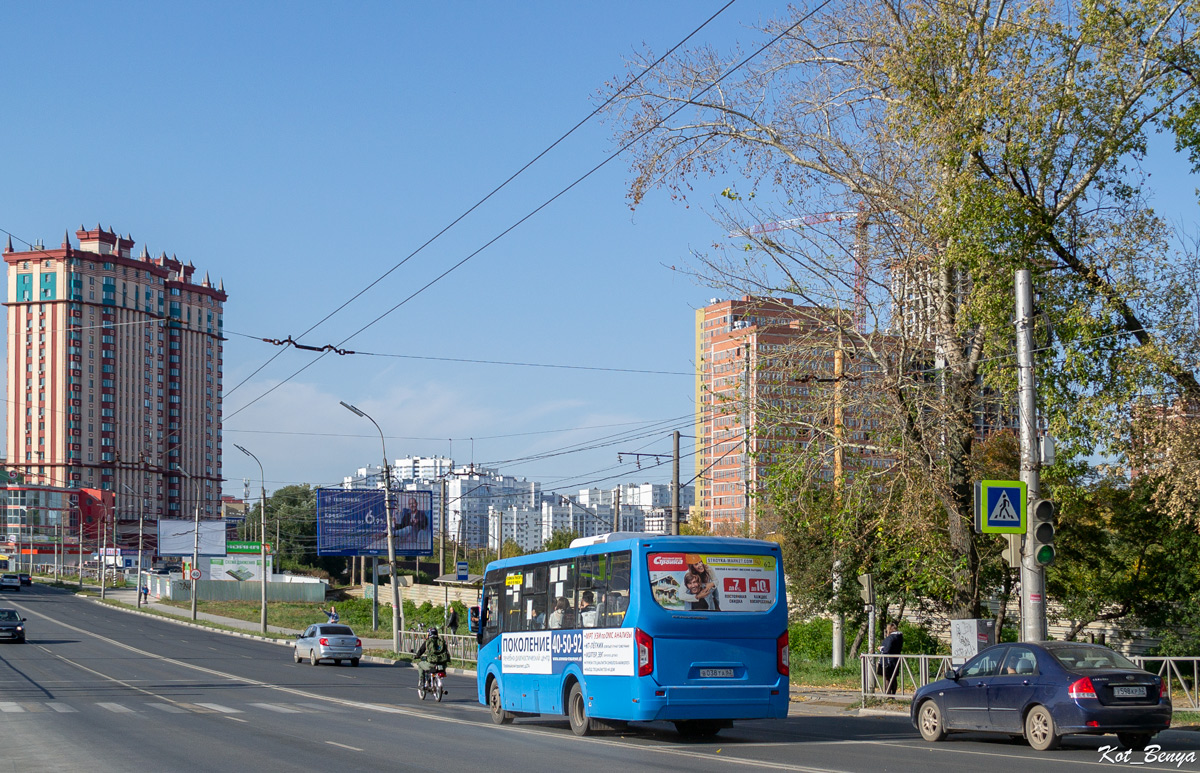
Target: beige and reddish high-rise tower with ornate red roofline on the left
point(115, 376)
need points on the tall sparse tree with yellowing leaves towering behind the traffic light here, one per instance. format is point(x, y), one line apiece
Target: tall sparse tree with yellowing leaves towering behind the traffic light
point(970, 141)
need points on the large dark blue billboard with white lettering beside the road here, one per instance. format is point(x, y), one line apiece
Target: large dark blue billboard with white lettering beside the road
point(355, 523)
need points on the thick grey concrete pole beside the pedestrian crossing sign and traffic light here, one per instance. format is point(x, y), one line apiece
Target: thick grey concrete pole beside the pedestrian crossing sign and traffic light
point(1034, 607)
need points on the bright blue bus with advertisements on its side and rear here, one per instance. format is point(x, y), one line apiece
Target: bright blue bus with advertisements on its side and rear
point(638, 628)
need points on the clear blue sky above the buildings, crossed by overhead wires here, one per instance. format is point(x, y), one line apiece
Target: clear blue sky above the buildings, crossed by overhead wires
point(298, 152)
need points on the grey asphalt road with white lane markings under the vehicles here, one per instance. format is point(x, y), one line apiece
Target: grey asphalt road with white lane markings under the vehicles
point(99, 690)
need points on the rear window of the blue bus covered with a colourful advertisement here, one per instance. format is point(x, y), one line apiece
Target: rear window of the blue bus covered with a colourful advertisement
point(713, 583)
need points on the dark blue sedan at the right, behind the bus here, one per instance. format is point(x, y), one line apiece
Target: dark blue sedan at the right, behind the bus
point(1045, 692)
